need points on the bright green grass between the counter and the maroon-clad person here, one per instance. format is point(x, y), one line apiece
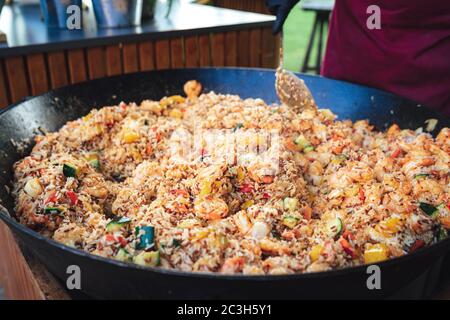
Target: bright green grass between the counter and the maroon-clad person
point(296, 35)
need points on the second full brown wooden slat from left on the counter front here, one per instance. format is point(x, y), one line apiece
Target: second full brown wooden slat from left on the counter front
point(37, 73)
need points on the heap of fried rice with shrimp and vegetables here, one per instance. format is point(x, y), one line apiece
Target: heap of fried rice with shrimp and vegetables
point(340, 194)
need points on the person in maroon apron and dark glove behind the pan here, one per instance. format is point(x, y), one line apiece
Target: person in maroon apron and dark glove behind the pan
point(409, 55)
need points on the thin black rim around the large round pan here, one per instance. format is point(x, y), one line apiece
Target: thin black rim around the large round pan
point(16, 226)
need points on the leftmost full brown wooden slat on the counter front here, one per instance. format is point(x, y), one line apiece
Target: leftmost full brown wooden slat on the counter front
point(17, 78)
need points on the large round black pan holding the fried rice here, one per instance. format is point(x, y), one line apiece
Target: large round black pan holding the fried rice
point(103, 278)
